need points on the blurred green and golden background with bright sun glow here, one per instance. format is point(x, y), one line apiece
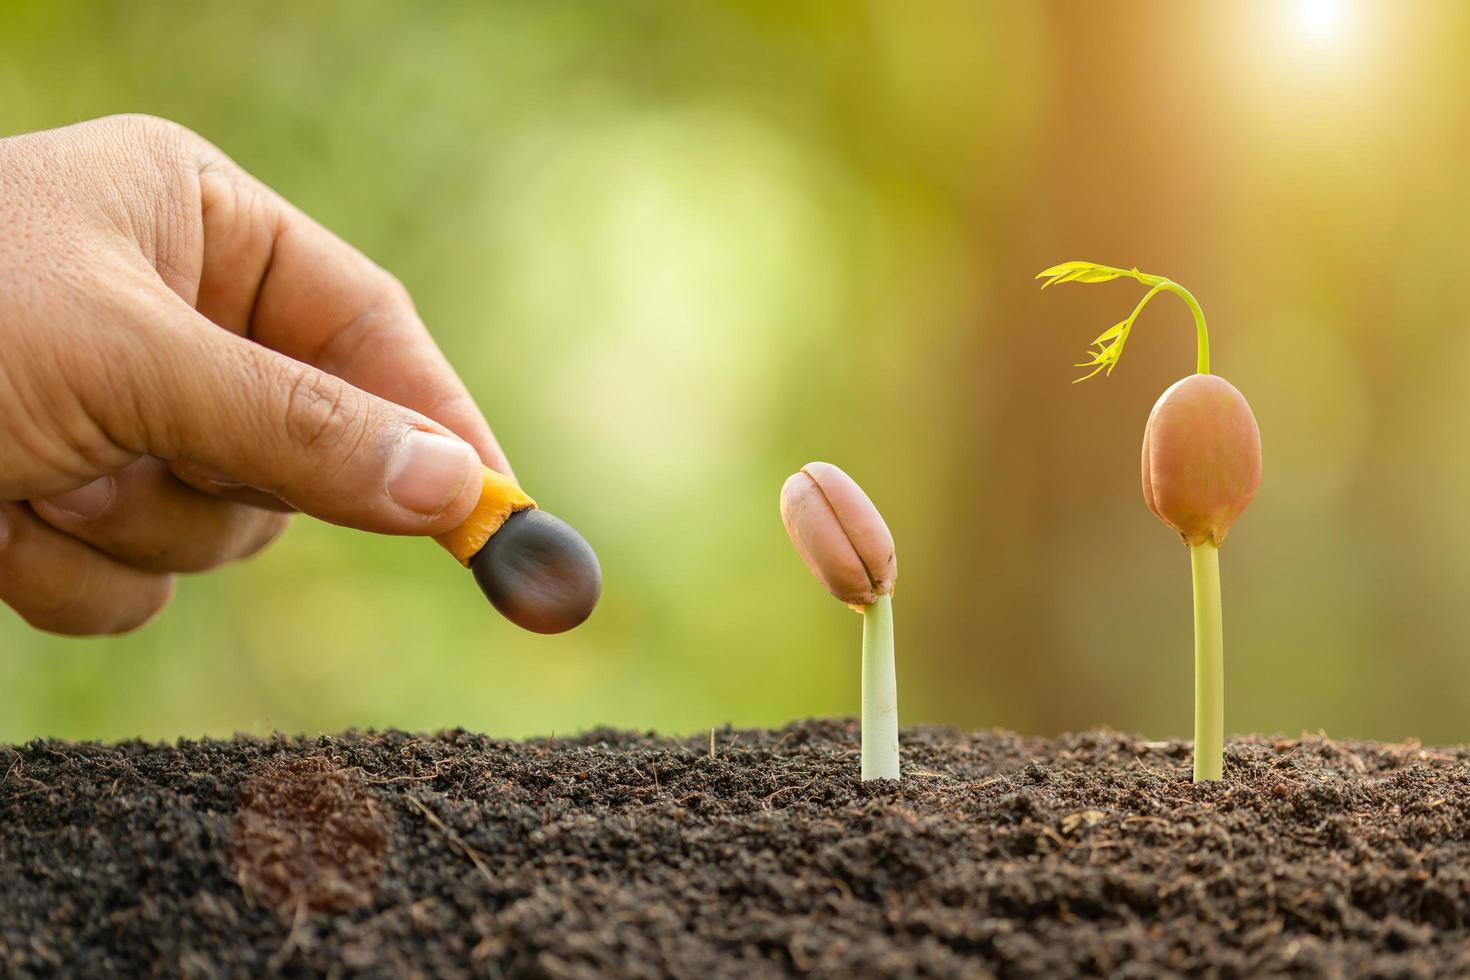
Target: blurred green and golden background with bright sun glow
point(680, 249)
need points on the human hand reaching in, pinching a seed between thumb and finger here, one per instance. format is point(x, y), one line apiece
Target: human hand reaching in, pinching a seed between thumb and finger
point(184, 359)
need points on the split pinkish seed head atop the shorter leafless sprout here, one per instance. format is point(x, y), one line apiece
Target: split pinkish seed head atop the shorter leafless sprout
point(840, 534)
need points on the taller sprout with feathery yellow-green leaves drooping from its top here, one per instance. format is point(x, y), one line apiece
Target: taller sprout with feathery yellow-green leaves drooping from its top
point(1202, 468)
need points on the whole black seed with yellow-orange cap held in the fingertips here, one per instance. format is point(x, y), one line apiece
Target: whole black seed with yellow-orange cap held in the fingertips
point(533, 566)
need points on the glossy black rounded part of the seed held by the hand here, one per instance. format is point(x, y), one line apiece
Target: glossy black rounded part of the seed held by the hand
point(540, 574)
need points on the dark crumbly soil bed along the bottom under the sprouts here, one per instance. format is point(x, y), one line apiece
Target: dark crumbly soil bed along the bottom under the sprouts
point(624, 856)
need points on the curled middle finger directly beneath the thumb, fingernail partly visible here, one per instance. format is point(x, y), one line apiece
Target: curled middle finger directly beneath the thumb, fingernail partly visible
point(145, 518)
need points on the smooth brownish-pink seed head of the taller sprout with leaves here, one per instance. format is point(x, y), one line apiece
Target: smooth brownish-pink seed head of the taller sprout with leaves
point(1202, 458)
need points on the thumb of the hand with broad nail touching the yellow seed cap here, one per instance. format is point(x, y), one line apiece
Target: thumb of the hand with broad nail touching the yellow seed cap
point(257, 418)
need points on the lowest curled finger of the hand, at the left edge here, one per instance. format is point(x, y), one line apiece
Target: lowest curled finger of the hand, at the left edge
point(61, 586)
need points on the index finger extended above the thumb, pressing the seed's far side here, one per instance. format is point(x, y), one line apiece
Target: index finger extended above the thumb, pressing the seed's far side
point(276, 275)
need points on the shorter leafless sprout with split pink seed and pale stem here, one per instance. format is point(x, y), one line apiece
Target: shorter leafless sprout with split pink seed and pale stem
point(847, 546)
